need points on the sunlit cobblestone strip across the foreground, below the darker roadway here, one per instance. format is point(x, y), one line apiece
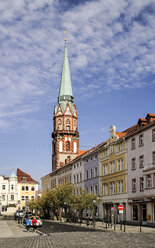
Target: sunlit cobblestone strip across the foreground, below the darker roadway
point(82, 240)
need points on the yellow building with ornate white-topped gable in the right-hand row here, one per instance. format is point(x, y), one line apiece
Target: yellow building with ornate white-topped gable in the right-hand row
point(113, 180)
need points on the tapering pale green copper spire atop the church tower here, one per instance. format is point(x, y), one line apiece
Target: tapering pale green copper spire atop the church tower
point(65, 91)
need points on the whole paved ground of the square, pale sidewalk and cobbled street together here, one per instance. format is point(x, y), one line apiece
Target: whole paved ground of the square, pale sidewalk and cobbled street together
point(62, 235)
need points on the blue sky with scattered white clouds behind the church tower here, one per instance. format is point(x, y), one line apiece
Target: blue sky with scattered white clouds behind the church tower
point(111, 50)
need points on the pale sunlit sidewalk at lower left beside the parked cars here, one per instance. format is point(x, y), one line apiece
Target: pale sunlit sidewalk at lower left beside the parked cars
point(10, 228)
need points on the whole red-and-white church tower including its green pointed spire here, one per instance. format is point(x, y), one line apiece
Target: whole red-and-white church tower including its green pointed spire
point(65, 144)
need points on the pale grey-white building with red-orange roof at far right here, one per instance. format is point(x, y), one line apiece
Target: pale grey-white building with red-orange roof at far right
point(141, 171)
